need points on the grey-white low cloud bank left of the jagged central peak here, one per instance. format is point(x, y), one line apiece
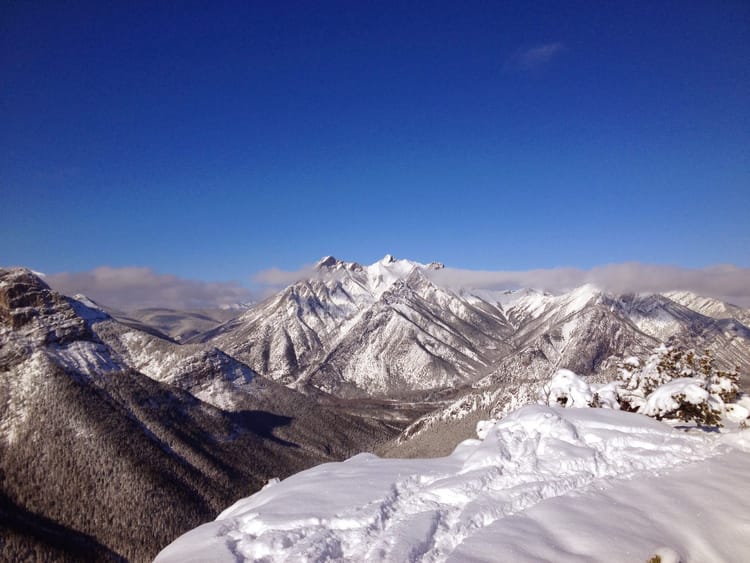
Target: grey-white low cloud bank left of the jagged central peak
point(136, 287)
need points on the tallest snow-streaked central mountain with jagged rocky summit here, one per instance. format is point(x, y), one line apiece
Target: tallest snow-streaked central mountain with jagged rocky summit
point(373, 330)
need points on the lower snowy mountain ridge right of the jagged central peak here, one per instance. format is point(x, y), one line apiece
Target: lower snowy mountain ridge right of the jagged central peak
point(585, 330)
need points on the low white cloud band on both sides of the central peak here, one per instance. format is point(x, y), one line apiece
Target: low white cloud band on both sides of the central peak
point(135, 287)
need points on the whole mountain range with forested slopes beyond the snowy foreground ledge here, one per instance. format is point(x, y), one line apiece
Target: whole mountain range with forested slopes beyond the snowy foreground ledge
point(120, 430)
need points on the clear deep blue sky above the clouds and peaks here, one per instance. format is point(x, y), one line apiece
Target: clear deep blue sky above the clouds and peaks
point(212, 140)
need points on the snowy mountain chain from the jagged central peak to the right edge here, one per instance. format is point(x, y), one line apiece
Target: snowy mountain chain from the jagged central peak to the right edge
point(389, 330)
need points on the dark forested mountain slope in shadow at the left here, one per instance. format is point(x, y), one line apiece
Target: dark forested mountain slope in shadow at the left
point(106, 453)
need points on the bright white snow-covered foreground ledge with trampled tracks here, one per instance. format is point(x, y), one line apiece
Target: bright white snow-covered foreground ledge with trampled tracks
point(543, 484)
